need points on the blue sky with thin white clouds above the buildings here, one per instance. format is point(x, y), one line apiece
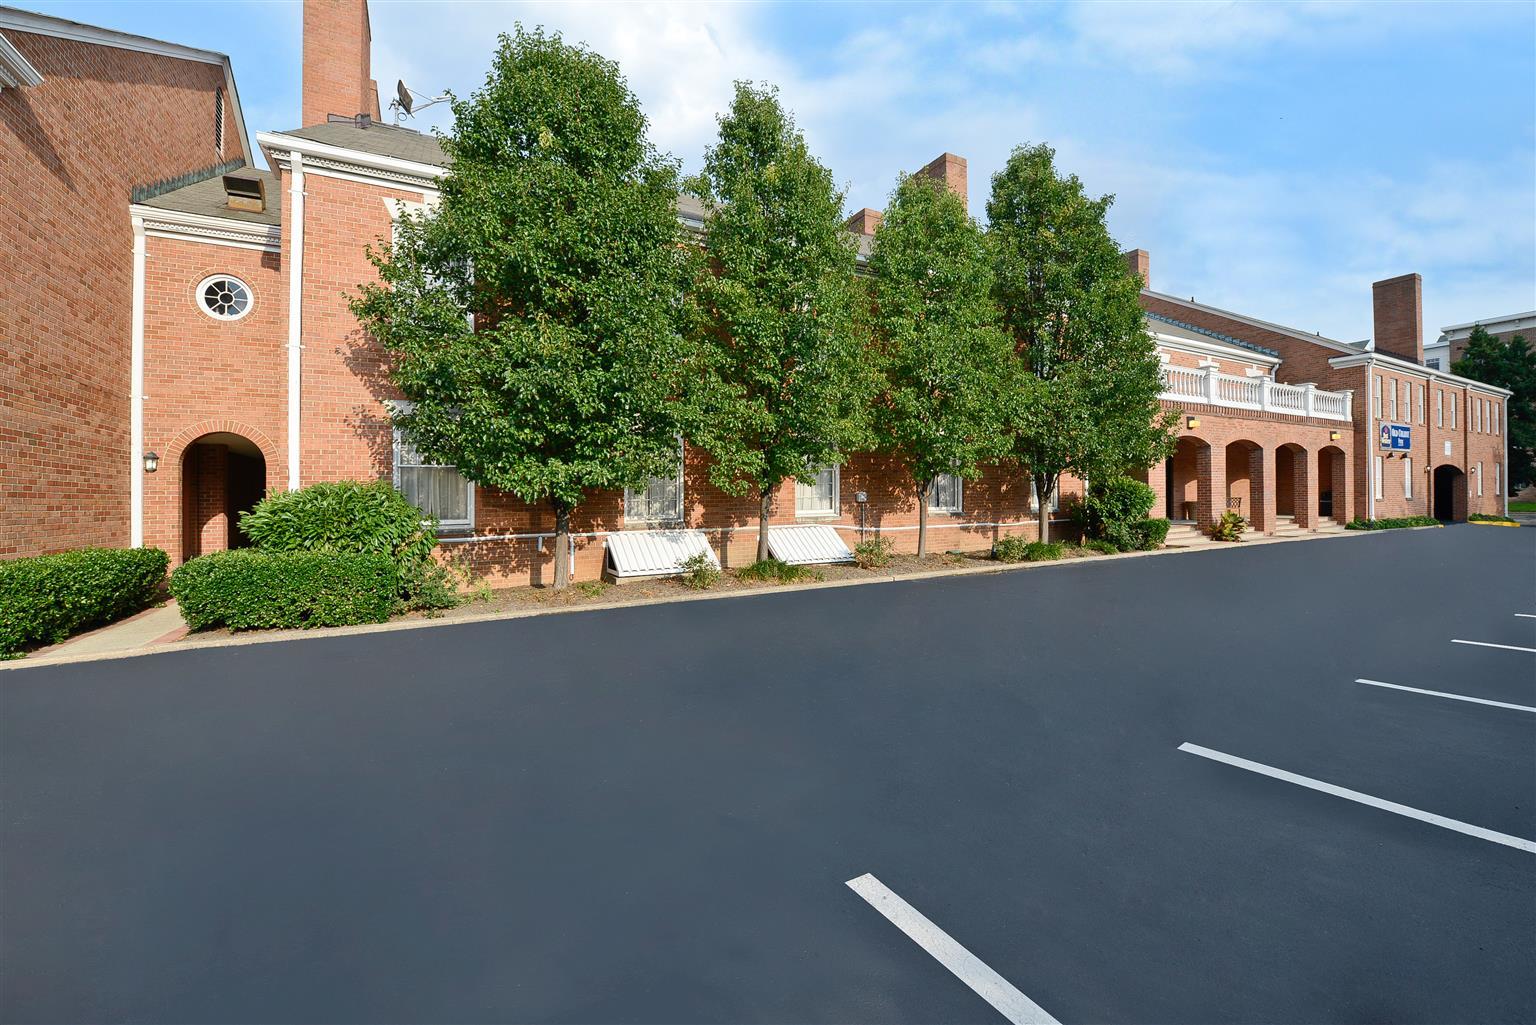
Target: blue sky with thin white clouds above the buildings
point(1274, 159)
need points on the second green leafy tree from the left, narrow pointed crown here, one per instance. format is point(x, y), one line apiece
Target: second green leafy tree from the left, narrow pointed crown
point(789, 379)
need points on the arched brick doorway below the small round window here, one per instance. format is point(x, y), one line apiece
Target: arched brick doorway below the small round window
point(222, 477)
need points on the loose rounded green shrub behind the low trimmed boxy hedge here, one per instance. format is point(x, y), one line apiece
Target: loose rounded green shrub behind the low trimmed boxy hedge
point(351, 517)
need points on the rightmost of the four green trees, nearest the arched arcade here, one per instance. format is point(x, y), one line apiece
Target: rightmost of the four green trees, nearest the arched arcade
point(1073, 308)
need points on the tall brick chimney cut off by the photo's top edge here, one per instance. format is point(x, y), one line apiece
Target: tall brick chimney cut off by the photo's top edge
point(337, 68)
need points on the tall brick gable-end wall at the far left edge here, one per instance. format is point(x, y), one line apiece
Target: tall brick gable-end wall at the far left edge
point(74, 147)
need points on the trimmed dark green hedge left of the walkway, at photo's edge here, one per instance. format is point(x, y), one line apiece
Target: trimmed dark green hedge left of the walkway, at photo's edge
point(47, 599)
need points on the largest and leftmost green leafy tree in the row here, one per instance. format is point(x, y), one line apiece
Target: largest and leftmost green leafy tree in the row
point(557, 234)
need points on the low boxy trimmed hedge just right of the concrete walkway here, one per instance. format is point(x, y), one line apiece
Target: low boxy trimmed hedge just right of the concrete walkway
point(248, 589)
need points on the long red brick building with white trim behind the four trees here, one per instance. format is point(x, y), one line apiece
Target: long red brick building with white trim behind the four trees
point(257, 377)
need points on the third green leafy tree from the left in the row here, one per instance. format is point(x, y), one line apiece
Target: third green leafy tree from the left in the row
point(948, 370)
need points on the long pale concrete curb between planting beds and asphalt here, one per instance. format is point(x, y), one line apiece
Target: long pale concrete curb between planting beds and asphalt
point(277, 637)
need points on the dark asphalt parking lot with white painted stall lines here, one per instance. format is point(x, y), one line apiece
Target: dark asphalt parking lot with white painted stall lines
point(655, 814)
